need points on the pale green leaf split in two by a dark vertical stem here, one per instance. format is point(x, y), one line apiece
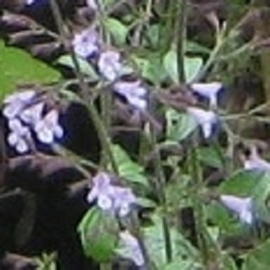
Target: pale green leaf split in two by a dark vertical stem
point(192, 66)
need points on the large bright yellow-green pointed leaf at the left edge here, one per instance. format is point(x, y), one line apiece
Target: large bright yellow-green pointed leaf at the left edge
point(19, 67)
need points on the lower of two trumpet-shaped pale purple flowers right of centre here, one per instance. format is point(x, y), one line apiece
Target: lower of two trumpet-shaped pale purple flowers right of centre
point(205, 119)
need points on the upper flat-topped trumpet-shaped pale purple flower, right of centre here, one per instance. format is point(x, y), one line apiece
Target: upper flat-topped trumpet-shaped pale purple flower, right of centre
point(208, 90)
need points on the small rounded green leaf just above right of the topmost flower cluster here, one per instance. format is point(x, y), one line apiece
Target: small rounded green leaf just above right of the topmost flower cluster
point(117, 29)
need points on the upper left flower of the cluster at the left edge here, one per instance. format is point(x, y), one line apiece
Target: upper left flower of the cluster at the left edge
point(15, 103)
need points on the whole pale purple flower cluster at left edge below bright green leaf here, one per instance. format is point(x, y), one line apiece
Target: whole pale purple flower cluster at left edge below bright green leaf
point(25, 114)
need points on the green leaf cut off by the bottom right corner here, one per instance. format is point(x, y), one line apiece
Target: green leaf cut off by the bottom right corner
point(258, 259)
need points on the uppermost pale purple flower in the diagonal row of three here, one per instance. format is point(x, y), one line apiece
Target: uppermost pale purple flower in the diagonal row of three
point(86, 43)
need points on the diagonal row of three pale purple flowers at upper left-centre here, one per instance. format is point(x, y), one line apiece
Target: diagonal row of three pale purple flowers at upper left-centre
point(88, 45)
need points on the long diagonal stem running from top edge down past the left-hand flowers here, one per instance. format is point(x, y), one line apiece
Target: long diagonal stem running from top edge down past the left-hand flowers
point(103, 136)
